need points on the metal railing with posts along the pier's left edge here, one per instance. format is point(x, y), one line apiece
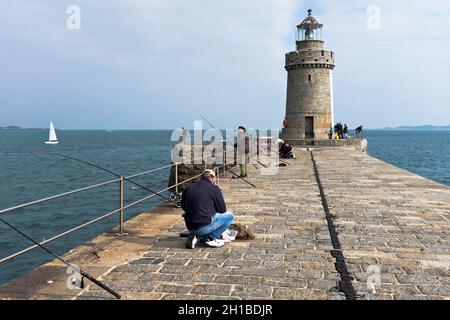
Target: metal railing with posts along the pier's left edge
point(122, 206)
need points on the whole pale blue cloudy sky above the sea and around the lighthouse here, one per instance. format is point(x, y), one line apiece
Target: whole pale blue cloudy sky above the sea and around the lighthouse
point(155, 64)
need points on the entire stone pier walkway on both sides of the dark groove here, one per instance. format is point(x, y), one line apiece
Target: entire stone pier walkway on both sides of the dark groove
point(393, 227)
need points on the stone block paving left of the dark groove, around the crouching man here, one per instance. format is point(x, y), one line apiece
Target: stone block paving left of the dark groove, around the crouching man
point(290, 258)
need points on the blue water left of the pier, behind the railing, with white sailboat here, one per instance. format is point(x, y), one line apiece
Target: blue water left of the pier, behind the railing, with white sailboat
point(25, 177)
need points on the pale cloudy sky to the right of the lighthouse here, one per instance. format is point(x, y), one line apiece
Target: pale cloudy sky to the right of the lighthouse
point(395, 75)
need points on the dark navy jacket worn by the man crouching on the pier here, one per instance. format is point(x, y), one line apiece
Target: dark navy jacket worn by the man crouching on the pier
point(201, 202)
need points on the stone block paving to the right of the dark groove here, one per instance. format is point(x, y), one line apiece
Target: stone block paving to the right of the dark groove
point(389, 220)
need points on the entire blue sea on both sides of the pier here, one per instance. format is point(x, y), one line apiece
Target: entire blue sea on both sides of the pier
point(27, 173)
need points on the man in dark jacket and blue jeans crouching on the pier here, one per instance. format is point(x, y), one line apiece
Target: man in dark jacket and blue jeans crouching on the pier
point(205, 214)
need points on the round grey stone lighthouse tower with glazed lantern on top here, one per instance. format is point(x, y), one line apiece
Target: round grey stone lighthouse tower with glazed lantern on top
point(309, 106)
